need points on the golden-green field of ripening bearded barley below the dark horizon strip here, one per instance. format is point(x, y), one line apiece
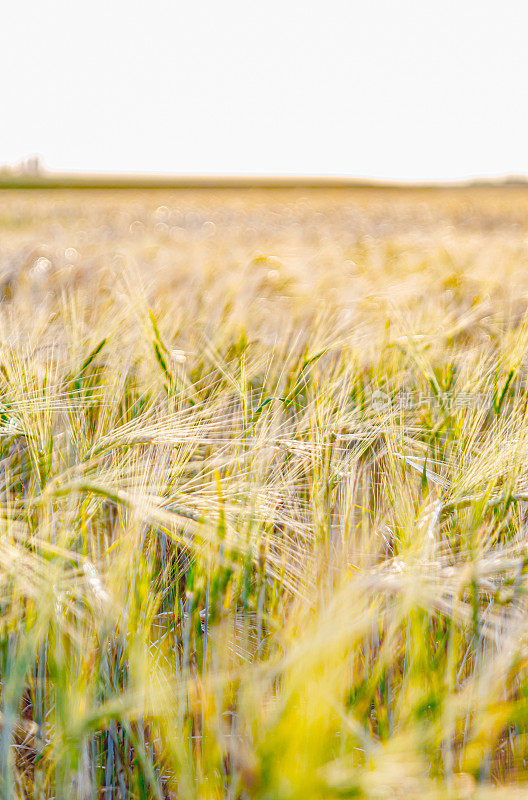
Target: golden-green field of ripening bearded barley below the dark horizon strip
point(264, 494)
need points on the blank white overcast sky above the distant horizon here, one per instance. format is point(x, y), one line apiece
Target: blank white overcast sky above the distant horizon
point(397, 89)
